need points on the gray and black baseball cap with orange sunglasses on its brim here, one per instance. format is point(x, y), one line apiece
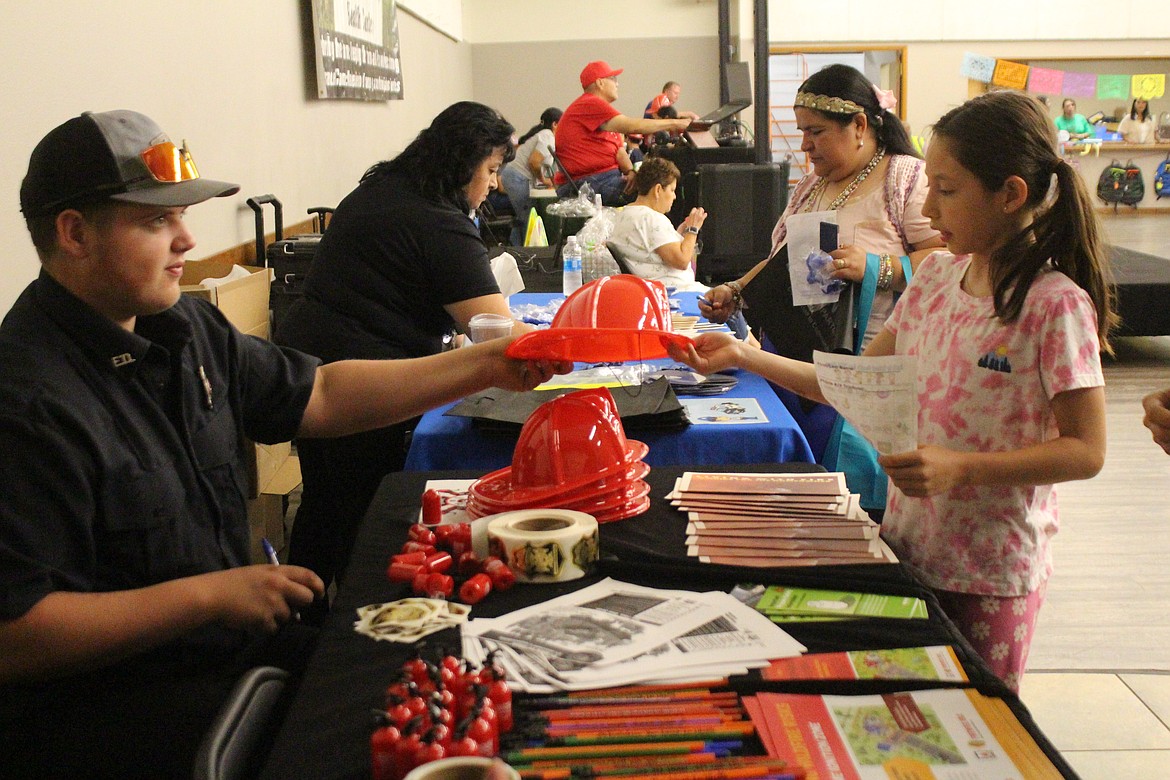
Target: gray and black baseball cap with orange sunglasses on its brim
point(114, 155)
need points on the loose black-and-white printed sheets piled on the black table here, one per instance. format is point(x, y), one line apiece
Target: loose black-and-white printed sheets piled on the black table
point(614, 633)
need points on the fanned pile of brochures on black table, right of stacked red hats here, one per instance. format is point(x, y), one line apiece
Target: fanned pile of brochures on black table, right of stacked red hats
point(776, 520)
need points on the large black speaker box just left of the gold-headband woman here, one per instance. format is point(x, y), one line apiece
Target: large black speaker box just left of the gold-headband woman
point(744, 203)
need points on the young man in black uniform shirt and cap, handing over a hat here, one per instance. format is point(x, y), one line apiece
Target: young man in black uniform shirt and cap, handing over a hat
point(128, 608)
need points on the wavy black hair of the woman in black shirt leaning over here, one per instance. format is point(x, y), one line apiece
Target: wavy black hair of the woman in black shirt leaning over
point(444, 157)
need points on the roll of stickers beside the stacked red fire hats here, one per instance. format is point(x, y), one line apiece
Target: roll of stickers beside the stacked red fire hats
point(545, 546)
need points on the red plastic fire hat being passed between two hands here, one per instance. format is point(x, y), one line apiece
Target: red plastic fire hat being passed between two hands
point(614, 319)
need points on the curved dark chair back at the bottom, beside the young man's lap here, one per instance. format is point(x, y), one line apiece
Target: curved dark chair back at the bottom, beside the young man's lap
point(229, 750)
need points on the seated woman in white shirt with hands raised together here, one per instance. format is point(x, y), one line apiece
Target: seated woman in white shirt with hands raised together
point(643, 233)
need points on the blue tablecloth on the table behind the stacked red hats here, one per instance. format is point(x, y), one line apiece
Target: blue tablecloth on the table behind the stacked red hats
point(445, 443)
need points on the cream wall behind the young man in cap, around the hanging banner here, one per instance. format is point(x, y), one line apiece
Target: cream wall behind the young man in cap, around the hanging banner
point(231, 78)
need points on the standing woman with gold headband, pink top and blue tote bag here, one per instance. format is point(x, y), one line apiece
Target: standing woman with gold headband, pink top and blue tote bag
point(866, 169)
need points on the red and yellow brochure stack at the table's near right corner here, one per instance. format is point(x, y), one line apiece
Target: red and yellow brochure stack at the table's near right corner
point(944, 734)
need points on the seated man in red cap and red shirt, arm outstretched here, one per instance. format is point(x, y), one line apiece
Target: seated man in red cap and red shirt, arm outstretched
point(590, 136)
